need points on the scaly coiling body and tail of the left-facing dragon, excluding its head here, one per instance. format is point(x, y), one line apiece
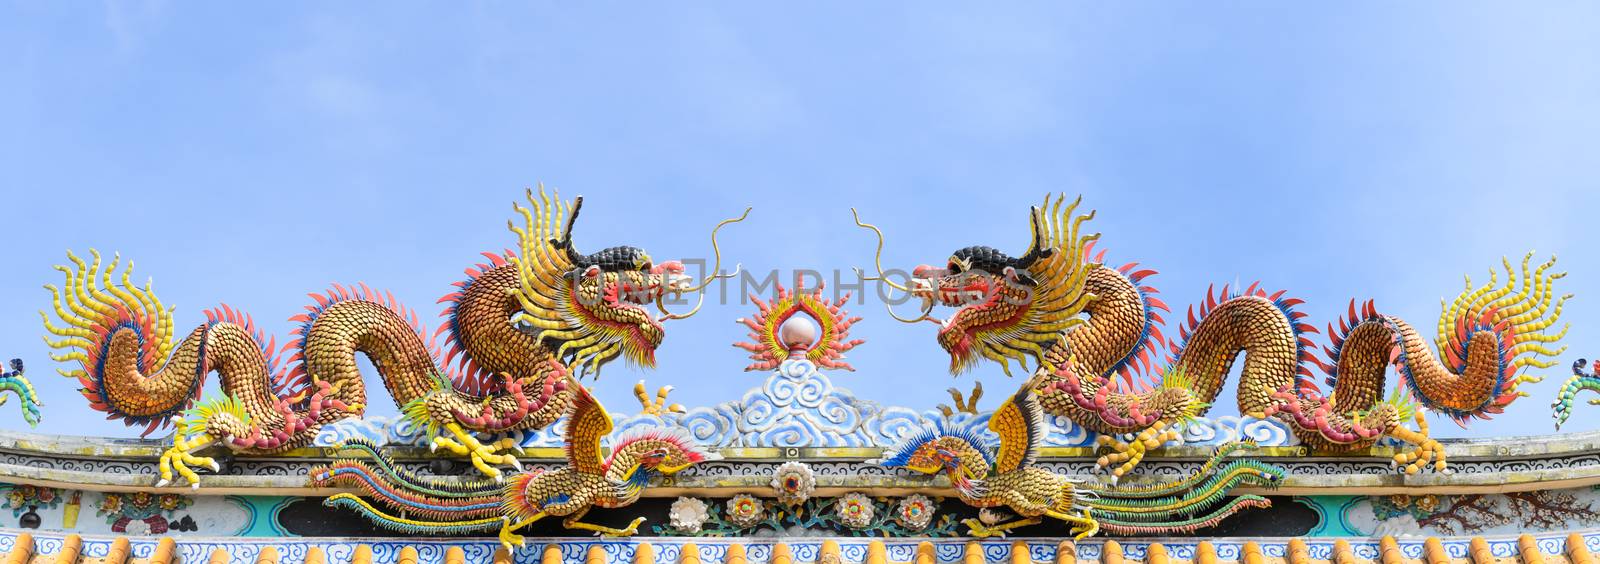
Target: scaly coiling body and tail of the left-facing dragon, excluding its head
point(1486, 353)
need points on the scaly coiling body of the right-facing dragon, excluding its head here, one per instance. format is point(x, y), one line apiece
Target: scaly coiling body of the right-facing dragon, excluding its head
point(286, 409)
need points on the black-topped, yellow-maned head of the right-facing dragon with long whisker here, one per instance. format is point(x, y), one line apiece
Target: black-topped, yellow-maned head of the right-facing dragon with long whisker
point(593, 308)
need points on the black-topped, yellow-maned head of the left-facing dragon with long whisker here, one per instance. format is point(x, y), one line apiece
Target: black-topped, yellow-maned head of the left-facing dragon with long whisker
point(1007, 308)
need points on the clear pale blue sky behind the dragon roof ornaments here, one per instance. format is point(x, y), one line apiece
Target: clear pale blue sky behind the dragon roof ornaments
point(1356, 151)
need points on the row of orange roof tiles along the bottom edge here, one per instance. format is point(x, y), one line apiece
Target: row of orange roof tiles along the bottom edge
point(1478, 550)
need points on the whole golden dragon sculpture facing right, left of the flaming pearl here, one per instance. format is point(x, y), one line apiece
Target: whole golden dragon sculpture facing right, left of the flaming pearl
point(514, 334)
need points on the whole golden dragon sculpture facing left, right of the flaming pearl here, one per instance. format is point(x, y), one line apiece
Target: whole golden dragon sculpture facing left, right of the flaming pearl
point(1095, 336)
